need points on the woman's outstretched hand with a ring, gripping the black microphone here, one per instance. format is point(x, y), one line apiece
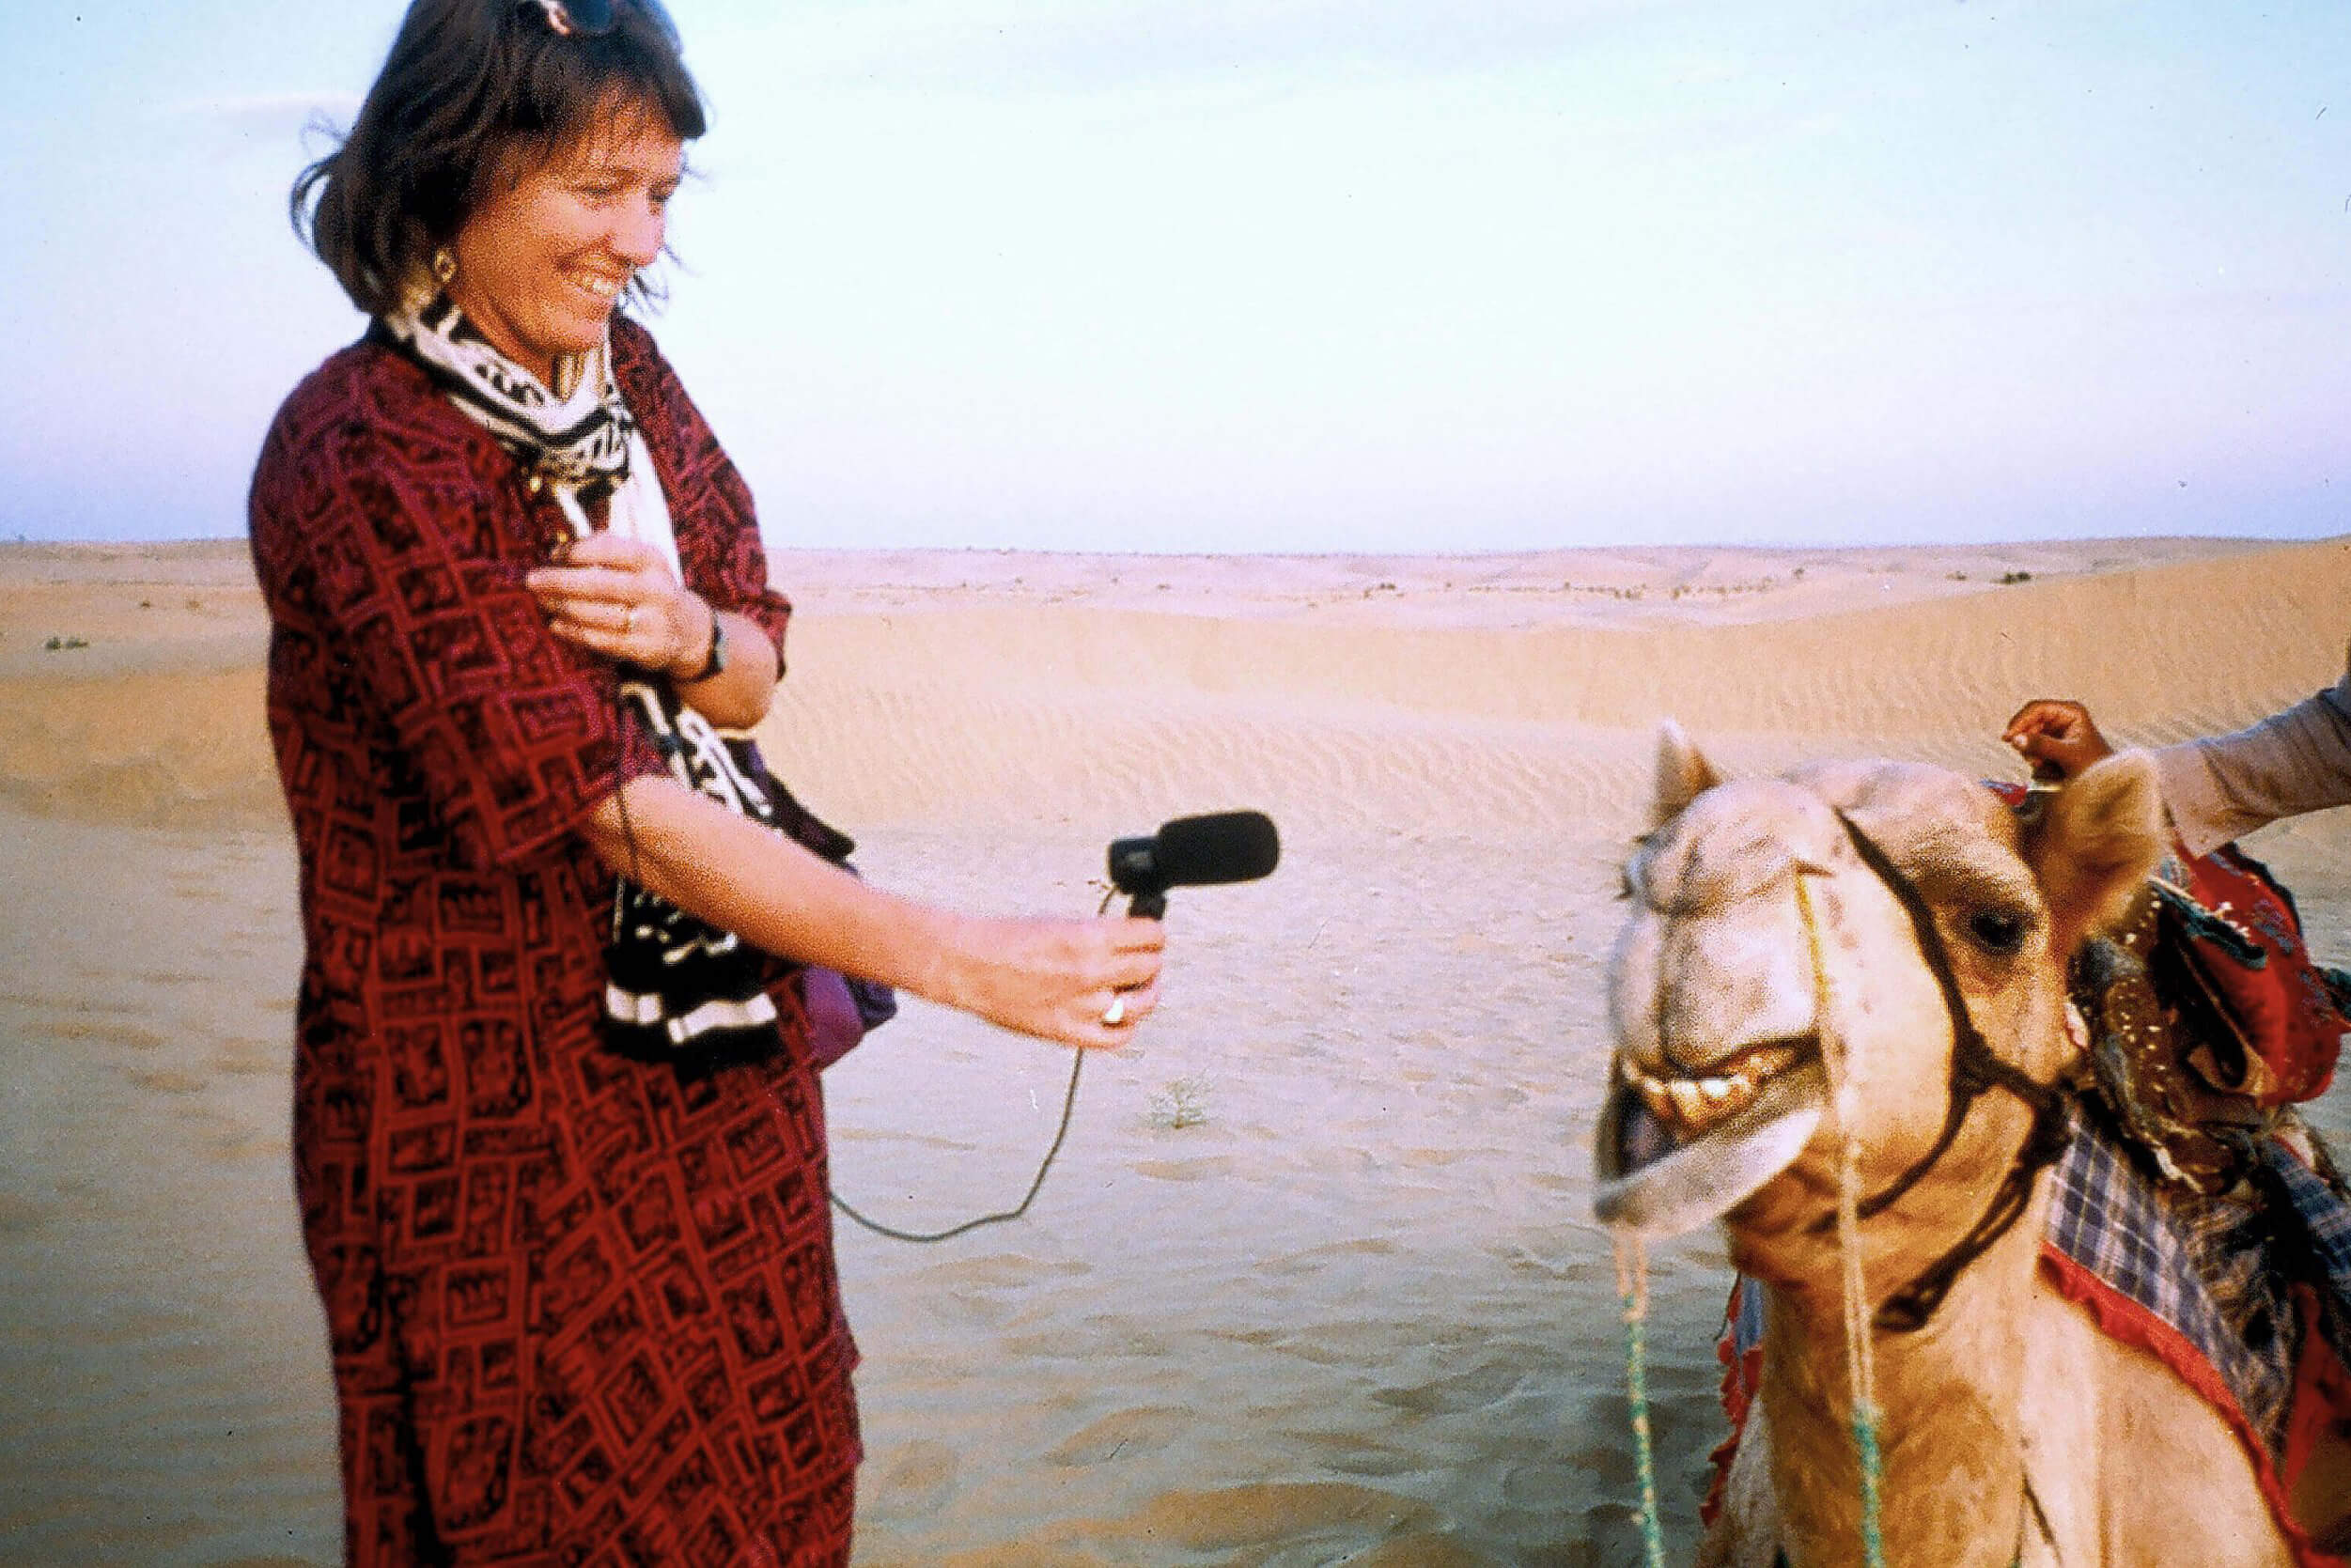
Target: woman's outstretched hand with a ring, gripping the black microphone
point(1078, 981)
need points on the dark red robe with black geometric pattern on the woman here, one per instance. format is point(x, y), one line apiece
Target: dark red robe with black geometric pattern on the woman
point(582, 1308)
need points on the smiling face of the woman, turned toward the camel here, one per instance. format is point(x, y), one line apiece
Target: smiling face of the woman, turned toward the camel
point(544, 260)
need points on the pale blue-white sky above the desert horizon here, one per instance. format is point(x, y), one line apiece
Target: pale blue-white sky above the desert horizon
point(1308, 274)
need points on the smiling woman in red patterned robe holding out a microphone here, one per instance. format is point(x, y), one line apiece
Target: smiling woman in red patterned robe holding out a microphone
point(577, 1275)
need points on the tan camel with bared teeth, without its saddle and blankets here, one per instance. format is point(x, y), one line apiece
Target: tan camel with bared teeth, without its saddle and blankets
point(1753, 1019)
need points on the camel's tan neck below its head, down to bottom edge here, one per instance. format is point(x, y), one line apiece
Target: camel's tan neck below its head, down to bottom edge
point(1948, 1419)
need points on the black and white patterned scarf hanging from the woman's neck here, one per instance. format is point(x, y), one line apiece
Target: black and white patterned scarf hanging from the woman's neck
point(671, 979)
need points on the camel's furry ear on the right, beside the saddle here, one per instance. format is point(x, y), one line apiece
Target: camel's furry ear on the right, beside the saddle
point(2094, 845)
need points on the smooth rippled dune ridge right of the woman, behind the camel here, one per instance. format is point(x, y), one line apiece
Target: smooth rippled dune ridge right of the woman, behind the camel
point(1339, 718)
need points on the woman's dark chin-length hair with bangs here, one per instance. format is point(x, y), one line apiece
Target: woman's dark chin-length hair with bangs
point(474, 91)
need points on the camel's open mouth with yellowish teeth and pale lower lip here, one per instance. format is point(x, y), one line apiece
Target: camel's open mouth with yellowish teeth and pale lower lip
point(1677, 1153)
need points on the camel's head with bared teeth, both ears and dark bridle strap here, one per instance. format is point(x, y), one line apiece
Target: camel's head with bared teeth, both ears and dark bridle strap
point(1736, 996)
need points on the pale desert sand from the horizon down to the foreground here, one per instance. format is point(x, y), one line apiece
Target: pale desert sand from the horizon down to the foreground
point(1315, 1278)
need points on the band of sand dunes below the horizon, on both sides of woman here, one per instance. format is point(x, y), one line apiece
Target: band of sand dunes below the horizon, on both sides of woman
point(1050, 685)
